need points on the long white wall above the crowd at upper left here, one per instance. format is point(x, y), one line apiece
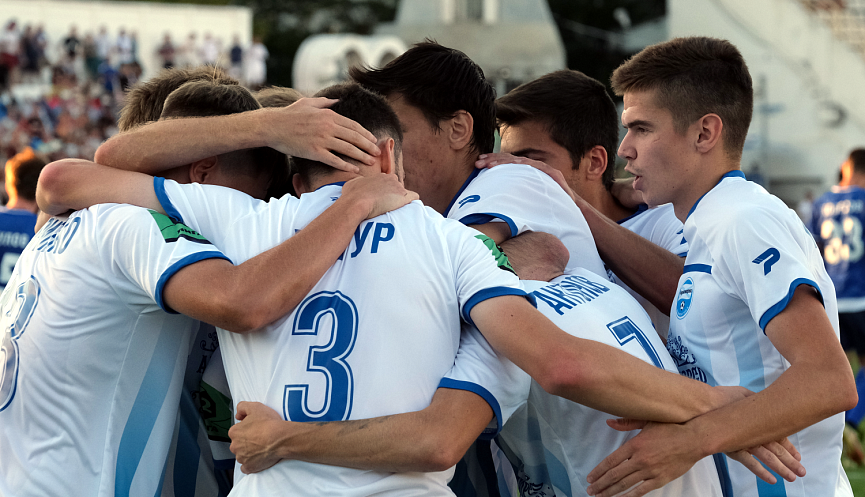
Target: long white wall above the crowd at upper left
point(150, 20)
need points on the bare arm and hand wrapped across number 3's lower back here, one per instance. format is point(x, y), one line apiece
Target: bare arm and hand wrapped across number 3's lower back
point(433, 439)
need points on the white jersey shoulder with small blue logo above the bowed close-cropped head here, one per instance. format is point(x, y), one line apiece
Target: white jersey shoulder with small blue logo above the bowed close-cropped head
point(527, 200)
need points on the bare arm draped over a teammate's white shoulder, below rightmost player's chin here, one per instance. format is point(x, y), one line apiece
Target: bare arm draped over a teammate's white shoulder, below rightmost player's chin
point(650, 270)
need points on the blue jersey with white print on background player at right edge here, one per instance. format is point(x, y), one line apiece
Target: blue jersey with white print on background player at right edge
point(837, 220)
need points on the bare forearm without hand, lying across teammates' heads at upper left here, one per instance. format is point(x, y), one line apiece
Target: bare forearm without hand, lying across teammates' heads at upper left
point(163, 145)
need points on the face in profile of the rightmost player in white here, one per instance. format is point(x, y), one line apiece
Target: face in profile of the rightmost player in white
point(658, 156)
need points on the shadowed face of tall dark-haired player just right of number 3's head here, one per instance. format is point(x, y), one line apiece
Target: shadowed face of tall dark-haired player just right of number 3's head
point(422, 147)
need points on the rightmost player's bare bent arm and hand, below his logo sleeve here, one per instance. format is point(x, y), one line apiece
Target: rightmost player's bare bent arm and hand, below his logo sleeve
point(818, 384)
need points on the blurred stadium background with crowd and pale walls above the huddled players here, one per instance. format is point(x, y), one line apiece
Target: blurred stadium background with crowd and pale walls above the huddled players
point(807, 58)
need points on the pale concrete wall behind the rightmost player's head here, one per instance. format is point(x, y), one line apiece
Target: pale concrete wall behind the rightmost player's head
point(809, 106)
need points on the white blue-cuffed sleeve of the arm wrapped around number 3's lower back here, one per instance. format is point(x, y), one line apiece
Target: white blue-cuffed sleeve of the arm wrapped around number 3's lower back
point(479, 369)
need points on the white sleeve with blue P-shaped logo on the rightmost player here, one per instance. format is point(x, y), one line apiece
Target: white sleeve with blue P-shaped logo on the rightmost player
point(758, 258)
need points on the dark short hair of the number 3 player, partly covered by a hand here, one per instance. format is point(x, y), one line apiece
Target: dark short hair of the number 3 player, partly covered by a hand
point(365, 108)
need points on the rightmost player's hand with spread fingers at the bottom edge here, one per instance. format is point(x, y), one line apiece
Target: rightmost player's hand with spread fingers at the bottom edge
point(658, 455)
